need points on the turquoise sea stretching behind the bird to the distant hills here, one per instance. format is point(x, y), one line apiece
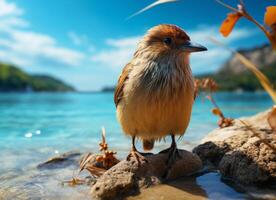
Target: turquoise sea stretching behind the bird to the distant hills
point(34, 127)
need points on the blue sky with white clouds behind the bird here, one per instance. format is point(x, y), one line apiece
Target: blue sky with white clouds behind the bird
point(87, 42)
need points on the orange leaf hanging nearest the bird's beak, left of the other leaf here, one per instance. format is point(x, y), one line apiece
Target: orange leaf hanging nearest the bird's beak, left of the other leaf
point(229, 23)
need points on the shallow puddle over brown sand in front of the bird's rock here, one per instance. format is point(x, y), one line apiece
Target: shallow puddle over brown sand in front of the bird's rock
point(207, 186)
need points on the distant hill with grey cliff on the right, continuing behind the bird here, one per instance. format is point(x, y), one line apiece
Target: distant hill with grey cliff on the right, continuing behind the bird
point(233, 76)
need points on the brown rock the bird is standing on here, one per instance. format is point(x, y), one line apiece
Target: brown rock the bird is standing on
point(128, 178)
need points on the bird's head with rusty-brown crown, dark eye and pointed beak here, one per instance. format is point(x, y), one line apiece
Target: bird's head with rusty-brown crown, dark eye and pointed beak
point(166, 39)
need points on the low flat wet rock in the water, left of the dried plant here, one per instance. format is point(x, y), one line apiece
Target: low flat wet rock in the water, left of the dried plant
point(61, 161)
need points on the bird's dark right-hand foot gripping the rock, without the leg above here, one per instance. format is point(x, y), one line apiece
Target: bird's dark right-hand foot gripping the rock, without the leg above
point(173, 156)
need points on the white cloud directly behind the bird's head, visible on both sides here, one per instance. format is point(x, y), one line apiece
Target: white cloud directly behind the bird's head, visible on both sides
point(120, 51)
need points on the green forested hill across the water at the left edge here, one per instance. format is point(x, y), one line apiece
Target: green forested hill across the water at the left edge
point(13, 79)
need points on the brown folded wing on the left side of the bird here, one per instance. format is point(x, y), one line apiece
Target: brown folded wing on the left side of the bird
point(119, 91)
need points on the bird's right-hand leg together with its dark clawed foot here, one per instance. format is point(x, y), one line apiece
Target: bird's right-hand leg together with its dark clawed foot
point(173, 156)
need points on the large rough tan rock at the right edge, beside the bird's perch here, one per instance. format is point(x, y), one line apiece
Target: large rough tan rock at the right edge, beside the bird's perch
point(240, 155)
